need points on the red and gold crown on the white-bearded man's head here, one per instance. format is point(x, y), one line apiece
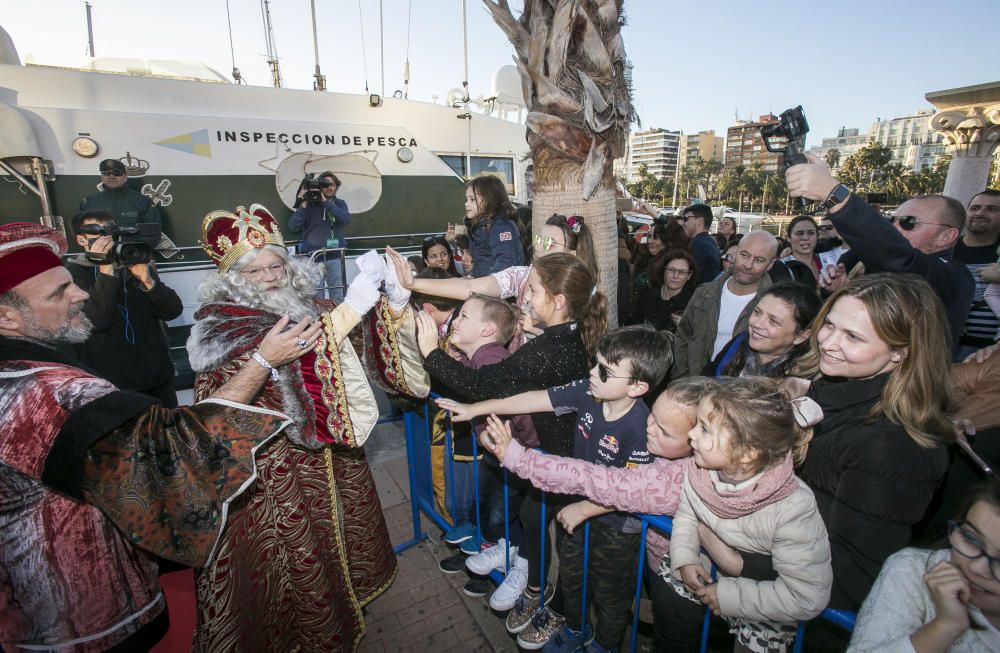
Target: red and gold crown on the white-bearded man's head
point(226, 236)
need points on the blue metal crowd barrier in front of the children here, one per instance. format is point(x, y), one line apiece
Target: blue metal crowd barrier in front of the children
point(417, 428)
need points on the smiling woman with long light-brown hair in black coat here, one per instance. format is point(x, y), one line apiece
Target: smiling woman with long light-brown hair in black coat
point(881, 350)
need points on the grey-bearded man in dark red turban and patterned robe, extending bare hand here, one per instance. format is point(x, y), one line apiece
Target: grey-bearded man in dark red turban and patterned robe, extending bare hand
point(96, 482)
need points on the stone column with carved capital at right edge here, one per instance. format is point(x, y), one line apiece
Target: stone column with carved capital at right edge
point(970, 137)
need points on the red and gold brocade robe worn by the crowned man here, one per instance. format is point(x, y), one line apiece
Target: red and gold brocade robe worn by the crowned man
point(309, 547)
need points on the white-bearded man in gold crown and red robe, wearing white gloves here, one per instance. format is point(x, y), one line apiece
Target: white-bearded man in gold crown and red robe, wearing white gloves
point(309, 546)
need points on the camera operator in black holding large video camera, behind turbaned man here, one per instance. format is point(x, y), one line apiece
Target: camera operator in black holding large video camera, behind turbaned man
point(128, 306)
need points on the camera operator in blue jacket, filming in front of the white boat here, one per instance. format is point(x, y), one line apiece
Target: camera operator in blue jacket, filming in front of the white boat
point(320, 216)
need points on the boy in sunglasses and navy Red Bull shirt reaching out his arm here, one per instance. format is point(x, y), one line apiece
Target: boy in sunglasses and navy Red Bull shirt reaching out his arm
point(610, 430)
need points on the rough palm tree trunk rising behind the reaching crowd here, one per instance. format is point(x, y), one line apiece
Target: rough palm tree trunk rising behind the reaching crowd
point(576, 82)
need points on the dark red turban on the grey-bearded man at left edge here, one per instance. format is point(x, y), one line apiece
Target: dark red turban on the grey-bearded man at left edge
point(27, 250)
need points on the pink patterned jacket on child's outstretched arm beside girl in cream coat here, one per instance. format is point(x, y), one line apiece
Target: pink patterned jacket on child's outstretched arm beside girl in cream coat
point(654, 488)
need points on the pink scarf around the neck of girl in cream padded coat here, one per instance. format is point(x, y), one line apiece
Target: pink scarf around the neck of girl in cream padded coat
point(772, 486)
